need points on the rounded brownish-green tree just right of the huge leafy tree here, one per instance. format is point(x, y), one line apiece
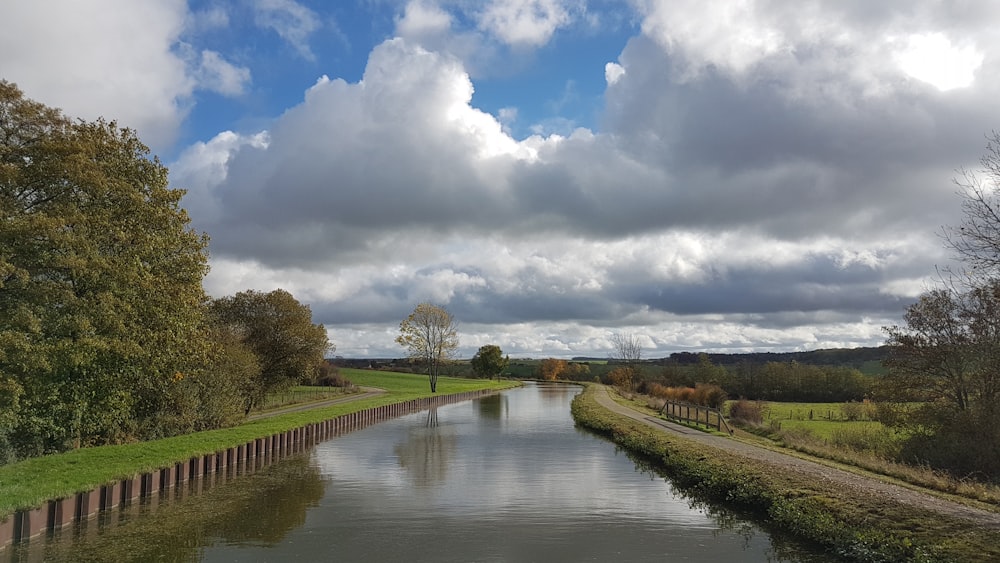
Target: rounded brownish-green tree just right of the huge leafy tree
point(280, 332)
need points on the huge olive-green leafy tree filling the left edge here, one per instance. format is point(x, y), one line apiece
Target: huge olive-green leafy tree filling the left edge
point(100, 279)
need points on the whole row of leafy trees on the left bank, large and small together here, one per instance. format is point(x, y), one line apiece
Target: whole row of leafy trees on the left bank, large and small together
point(106, 332)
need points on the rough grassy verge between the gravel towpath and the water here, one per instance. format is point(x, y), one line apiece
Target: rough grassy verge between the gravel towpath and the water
point(855, 526)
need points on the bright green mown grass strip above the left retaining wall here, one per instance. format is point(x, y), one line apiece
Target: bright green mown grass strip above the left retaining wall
point(32, 482)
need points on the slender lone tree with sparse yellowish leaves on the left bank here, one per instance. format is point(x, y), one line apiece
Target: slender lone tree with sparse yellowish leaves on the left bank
point(431, 337)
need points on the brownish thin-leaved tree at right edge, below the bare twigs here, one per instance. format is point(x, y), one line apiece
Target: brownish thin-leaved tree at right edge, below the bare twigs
point(947, 358)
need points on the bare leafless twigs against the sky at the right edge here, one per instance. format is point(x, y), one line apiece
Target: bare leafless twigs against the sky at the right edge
point(977, 240)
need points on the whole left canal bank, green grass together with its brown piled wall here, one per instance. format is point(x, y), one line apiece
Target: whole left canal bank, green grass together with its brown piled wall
point(152, 470)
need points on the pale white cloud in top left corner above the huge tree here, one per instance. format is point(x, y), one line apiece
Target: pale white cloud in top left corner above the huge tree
point(120, 65)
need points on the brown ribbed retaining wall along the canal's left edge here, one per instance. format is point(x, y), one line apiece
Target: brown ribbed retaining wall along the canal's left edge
point(56, 514)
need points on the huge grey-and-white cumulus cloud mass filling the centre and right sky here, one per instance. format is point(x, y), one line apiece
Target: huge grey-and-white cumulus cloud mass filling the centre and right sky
point(781, 187)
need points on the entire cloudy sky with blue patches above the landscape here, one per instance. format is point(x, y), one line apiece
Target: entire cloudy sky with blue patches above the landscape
point(724, 176)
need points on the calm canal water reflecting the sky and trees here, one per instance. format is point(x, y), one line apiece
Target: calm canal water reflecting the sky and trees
point(506, 478)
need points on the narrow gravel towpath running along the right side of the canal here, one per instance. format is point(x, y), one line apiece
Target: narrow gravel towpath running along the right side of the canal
point(861, 484)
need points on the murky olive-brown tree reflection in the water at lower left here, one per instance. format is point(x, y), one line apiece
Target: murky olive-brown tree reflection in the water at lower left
point(259, 509)
